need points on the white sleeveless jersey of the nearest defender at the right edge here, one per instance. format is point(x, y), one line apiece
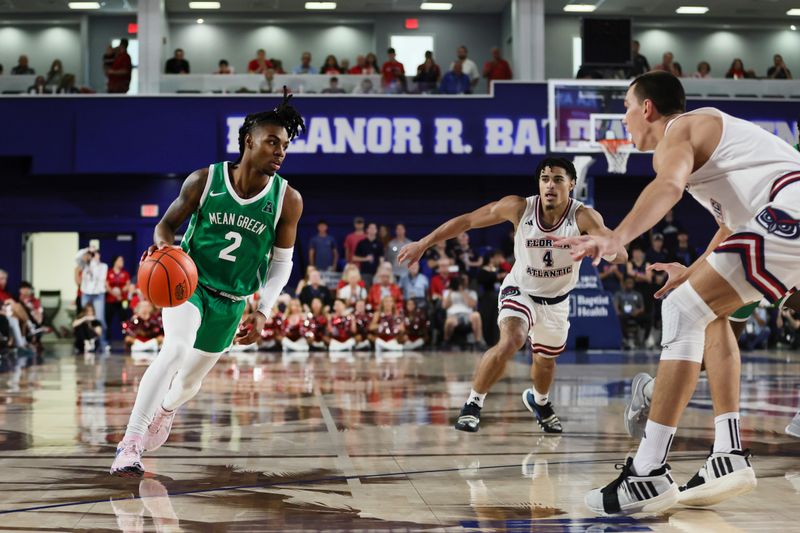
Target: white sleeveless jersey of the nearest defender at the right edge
point(742, 174)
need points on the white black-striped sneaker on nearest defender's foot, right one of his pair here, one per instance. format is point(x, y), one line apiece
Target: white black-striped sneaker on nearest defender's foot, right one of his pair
point(723, 476)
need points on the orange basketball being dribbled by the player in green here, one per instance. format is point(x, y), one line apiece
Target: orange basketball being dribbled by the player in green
point(168, 277)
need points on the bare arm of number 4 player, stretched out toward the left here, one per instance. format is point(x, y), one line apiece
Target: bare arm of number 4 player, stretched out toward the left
point(507, 209)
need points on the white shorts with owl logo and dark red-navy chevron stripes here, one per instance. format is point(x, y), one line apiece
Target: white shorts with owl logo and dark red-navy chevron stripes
point(762, 258)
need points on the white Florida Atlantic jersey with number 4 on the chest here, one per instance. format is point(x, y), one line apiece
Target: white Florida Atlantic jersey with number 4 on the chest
point(542, 269)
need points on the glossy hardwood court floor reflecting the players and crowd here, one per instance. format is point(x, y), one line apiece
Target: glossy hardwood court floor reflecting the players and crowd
point(357, 444)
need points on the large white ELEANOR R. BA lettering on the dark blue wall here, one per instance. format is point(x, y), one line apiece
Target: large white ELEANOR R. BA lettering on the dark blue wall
point(404, 135)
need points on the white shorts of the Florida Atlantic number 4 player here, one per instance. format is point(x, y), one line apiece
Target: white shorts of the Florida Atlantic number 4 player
point(548, 324)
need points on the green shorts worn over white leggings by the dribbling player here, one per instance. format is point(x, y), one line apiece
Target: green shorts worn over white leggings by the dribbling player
point(219, 320)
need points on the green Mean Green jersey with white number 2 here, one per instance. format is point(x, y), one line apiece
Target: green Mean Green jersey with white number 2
point(230, 238)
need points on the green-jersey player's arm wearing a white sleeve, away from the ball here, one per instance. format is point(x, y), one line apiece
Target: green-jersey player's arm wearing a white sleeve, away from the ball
point(280, 267)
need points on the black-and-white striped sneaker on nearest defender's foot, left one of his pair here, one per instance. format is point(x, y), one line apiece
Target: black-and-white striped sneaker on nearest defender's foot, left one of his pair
point(631, 493)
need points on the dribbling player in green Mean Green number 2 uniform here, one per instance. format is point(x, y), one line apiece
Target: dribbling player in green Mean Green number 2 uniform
point(241, 236)
